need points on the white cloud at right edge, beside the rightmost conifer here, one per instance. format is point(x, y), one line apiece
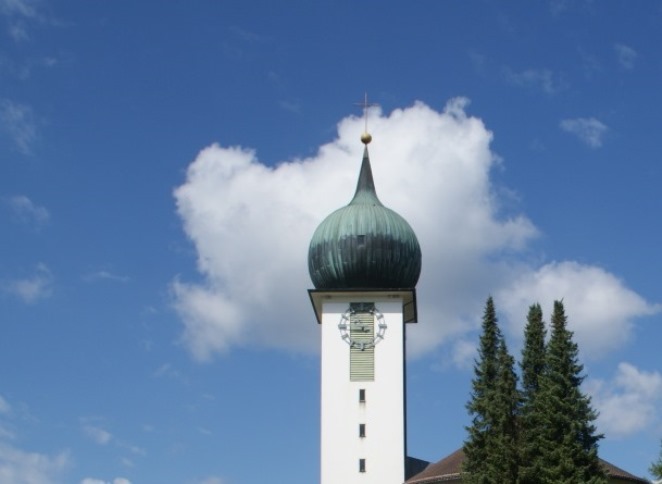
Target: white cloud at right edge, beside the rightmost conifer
point(627, 403)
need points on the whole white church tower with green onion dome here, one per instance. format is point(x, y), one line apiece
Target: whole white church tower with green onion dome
point(364, 261)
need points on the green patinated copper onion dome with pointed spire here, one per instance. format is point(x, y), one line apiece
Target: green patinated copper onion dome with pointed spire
point(364, 245)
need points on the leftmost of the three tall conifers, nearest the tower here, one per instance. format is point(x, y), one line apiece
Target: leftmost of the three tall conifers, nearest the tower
point(491, 447)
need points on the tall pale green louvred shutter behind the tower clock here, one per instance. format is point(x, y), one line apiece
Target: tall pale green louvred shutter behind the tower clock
point(362, 349)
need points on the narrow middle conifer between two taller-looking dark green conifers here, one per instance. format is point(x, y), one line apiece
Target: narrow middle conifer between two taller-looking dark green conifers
point(531, 421)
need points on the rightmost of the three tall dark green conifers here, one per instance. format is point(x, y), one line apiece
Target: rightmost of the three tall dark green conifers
point(569, 443)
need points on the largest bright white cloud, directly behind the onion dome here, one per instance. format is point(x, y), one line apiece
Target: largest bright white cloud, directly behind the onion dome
point(251, 226)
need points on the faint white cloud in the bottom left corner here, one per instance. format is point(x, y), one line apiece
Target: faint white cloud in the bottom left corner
point(20, 467)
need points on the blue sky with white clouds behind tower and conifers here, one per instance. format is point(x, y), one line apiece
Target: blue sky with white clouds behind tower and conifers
point(164, 164)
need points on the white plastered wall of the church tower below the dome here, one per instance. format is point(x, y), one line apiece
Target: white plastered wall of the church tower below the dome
point(383, 412)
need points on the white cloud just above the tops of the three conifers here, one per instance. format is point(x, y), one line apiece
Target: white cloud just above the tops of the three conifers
point(600, 309)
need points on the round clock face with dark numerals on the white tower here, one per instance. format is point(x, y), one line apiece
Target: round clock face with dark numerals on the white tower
point(362, 326)
